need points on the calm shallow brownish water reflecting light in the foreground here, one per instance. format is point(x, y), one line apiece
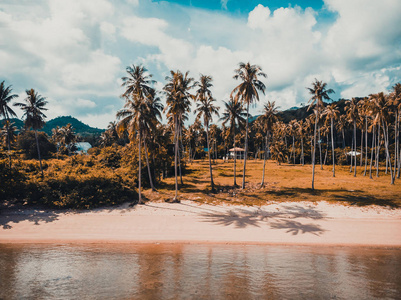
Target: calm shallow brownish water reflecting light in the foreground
point(125, 271)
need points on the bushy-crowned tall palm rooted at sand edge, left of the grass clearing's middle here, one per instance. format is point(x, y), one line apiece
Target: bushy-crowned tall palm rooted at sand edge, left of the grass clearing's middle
point(178, 104)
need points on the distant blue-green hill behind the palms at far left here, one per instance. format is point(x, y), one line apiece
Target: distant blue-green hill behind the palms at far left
point(79, 127)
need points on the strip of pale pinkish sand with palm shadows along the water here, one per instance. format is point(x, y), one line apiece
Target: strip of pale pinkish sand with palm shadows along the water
point(302, 223)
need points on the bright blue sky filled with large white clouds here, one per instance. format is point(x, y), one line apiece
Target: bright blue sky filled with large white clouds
point(75, 52)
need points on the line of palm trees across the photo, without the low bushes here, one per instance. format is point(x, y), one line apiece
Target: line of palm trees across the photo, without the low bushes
point(338, 132)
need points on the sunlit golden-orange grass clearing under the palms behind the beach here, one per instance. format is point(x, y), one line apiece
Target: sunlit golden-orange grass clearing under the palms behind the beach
point(282, 183)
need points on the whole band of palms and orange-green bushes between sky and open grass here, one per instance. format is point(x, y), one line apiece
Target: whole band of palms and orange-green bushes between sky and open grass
point(139, 150)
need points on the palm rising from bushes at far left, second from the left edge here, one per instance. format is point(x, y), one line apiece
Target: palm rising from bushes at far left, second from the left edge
point(34, 117)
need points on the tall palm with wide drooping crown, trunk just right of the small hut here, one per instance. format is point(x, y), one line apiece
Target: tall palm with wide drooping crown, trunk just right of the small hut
point(247, 92)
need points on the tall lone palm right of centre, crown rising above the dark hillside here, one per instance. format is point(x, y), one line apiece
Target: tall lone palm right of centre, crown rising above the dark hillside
point(319, 93)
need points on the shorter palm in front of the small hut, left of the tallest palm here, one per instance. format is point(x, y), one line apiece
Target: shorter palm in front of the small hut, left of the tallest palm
point(234, 114)
